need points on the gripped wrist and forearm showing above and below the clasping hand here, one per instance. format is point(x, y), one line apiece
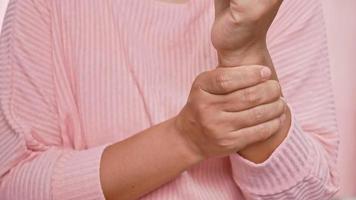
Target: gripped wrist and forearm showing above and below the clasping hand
point(252, 55)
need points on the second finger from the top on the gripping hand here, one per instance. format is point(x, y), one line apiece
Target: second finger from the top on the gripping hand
point(262, 93)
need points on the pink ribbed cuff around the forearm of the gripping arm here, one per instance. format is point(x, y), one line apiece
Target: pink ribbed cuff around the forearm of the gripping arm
point(77, 175)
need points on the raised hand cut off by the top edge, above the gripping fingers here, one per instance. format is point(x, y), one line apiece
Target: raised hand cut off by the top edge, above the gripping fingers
point(241, 27)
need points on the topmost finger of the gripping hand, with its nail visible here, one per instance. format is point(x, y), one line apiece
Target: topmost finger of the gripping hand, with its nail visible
point(226, 80)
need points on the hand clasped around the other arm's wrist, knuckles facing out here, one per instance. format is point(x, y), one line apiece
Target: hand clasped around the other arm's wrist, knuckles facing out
point(229, 109)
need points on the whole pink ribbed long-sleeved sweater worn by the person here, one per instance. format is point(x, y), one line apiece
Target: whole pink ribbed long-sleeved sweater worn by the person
point(76, 76)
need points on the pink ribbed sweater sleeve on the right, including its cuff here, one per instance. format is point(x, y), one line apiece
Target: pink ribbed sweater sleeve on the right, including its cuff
point(304, 165)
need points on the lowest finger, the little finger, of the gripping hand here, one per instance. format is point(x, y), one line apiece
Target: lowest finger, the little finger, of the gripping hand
point(261, 132)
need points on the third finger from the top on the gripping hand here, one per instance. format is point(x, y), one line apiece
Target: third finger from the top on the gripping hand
point(256, 115)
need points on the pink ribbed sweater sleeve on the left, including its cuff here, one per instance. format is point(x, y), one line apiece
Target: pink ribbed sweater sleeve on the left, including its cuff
point(34, 163)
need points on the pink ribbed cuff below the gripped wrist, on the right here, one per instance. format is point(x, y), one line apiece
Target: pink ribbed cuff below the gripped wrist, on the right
point(287, 166)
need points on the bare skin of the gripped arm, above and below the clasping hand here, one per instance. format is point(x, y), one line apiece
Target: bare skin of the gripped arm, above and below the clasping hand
point(239, 35)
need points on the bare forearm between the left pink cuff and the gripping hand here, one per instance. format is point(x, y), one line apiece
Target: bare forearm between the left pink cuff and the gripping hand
point(142, 163)
